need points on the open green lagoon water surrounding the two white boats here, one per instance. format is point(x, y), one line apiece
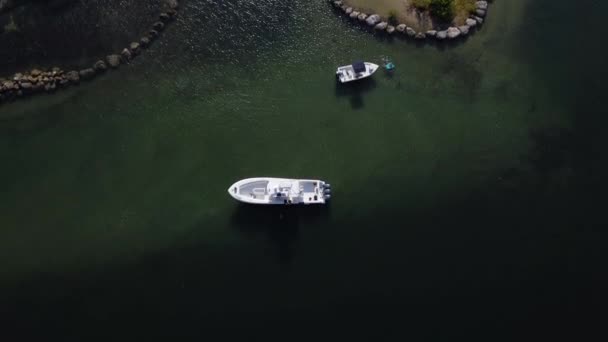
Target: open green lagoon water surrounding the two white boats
point(466, 185)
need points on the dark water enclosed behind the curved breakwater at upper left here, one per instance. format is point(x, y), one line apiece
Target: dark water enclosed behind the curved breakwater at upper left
point(71, 33)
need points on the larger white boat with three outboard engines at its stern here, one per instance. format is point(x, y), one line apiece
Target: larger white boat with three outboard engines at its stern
point(284, 191)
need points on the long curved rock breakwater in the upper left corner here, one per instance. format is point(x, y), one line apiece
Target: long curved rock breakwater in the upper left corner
point(38, 81)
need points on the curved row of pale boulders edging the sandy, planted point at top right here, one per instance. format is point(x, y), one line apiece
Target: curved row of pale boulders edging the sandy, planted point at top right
point(379, 24)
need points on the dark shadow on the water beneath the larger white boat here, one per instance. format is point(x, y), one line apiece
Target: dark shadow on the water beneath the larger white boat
point(280, 225)
